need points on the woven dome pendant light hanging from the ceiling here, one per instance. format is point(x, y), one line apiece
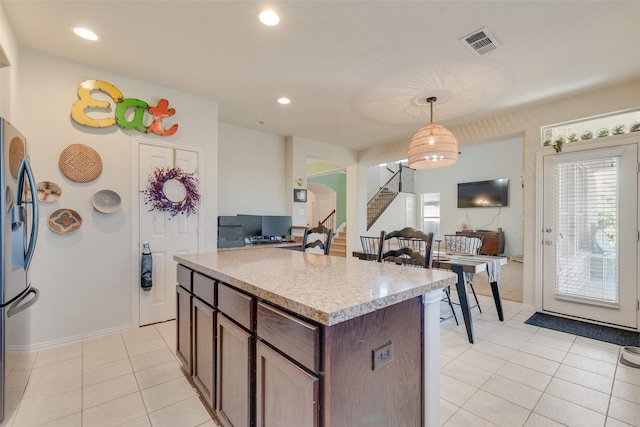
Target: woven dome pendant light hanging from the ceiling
point(432, 146)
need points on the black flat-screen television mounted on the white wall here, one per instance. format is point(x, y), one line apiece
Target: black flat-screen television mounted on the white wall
point(484, 194)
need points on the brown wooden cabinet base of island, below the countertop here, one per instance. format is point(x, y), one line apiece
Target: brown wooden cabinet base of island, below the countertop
point(259, 365)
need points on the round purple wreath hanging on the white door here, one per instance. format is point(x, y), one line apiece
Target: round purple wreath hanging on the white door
point(154, 193)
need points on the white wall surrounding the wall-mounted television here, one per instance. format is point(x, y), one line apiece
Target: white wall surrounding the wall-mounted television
point(479, 163)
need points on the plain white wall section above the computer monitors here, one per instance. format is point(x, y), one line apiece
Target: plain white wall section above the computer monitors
point(251, 171)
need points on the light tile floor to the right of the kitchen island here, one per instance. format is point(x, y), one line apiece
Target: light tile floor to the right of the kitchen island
point(522, 375)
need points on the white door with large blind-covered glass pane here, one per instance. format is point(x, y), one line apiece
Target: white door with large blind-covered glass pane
point(590, 235)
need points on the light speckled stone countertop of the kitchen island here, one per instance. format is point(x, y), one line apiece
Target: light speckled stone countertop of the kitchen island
point(323, 288)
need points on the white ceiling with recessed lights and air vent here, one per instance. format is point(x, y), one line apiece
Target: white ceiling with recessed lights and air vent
point(357, 72)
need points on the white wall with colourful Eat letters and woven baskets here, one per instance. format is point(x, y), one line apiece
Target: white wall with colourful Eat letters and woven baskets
point(87, 278)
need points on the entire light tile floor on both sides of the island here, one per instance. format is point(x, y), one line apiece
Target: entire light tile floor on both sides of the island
point(514, 375)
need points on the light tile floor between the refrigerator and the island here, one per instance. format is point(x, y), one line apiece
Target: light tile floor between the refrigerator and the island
point(128, 379)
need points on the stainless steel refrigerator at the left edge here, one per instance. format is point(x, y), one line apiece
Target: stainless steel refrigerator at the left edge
point(19, 221)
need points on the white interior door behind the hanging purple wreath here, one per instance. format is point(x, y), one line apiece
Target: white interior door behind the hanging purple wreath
point(167, 235)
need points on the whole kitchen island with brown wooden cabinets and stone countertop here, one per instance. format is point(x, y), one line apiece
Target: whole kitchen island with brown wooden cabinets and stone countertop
point(280, 337)
